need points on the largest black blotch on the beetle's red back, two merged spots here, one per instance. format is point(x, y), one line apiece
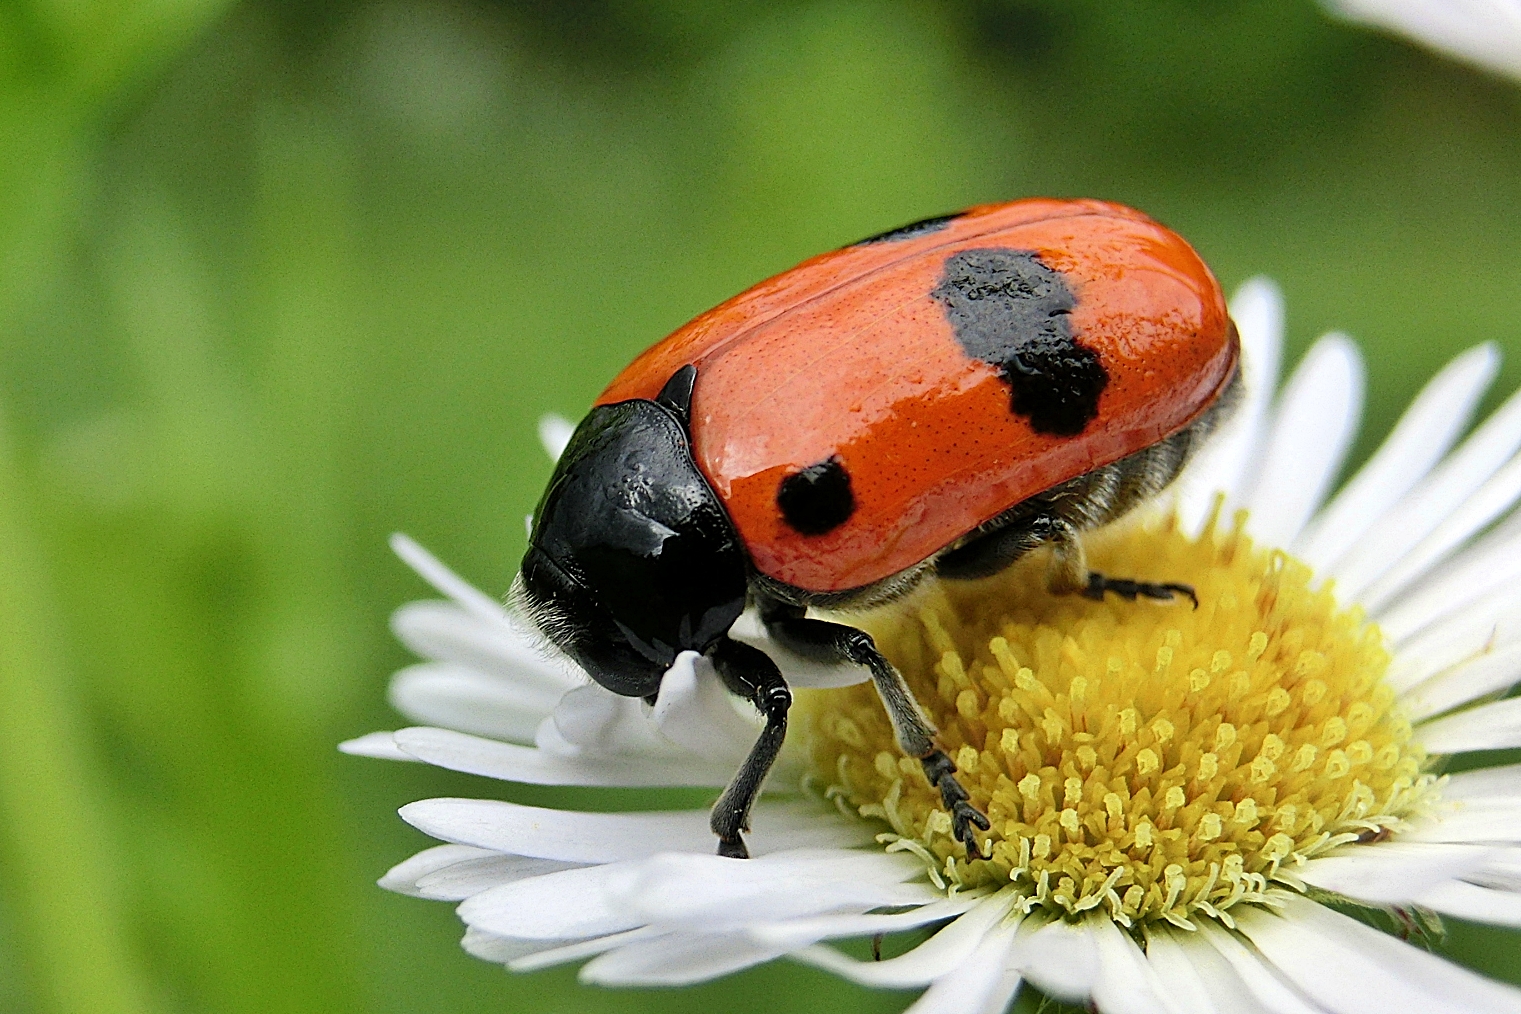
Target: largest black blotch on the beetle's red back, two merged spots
point(1012, 311)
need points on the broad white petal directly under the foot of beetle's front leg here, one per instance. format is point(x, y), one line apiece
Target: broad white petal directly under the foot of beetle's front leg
point(707, 892)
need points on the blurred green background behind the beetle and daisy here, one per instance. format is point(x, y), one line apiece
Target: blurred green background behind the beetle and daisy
point(279, 279)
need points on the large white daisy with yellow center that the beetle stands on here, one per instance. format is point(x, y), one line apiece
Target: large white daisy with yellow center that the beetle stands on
point(1184, 802)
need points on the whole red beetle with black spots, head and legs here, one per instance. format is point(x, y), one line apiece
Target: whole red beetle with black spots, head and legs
point(935, 401)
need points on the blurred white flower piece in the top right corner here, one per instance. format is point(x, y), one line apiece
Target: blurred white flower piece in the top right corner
point(1484, 33)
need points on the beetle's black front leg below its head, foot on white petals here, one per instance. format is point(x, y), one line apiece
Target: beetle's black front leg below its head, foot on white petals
point(751, 674)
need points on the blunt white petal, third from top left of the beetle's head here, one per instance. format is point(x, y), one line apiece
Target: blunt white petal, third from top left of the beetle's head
point(469, 702)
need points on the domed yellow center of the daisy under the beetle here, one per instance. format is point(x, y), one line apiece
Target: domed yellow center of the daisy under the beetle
point(1145, 759)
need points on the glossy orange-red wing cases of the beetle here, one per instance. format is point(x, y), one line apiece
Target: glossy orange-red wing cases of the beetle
point(854, 358)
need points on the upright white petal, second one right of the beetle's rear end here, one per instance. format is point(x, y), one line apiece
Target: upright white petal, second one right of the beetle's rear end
point(1312, 431)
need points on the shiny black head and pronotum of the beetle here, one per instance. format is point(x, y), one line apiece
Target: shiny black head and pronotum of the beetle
point(632, 559)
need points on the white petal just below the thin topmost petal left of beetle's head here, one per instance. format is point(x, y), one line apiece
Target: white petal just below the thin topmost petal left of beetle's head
point(445, 632)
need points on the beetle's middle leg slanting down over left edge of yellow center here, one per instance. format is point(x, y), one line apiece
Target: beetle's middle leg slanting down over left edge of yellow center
point(836, 642)
